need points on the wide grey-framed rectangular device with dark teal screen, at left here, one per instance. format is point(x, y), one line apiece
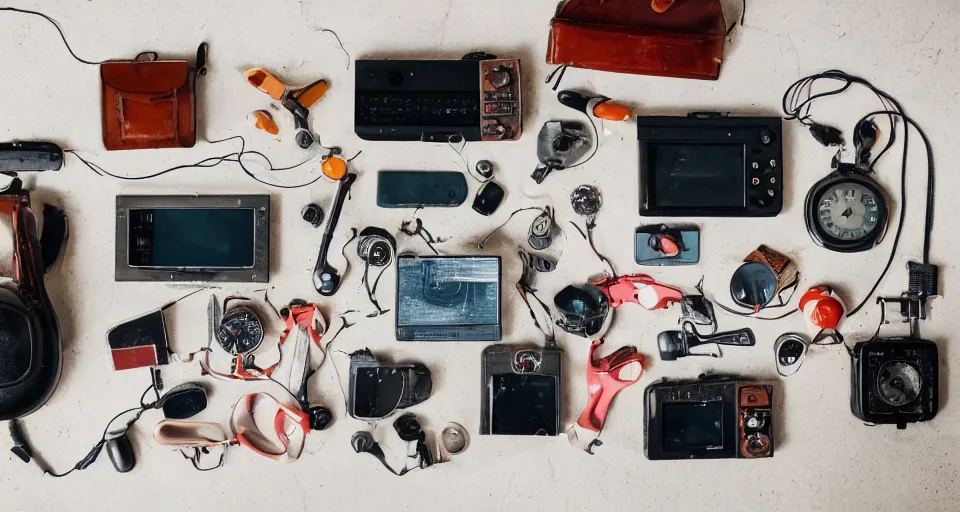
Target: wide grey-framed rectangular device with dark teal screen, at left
point(193, 238)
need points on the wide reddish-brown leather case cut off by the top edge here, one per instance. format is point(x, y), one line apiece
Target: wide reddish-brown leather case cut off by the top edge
point(630, 36)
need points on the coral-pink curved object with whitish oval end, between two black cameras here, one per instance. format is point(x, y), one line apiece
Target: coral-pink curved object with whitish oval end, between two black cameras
point(604, 382)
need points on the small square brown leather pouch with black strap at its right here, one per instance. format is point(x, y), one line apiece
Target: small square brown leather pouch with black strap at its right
point(149, 103)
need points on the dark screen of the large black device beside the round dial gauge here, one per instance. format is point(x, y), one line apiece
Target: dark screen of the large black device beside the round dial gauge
point(697, 175)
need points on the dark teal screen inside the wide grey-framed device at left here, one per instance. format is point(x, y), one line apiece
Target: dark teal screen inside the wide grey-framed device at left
point(219, 238)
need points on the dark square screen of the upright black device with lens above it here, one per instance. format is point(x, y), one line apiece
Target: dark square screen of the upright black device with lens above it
point(523, 404)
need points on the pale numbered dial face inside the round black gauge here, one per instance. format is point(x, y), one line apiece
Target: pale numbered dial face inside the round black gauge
point(848, 211)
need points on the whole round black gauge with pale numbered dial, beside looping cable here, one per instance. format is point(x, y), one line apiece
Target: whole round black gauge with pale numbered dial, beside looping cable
point(846, 214)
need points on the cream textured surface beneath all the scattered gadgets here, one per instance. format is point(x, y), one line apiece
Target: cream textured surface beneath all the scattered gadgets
point(826, 460)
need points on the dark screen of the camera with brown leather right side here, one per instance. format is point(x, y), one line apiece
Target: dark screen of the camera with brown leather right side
point(688, 425)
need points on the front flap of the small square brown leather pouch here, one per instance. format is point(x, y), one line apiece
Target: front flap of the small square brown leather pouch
point(145, 77)
